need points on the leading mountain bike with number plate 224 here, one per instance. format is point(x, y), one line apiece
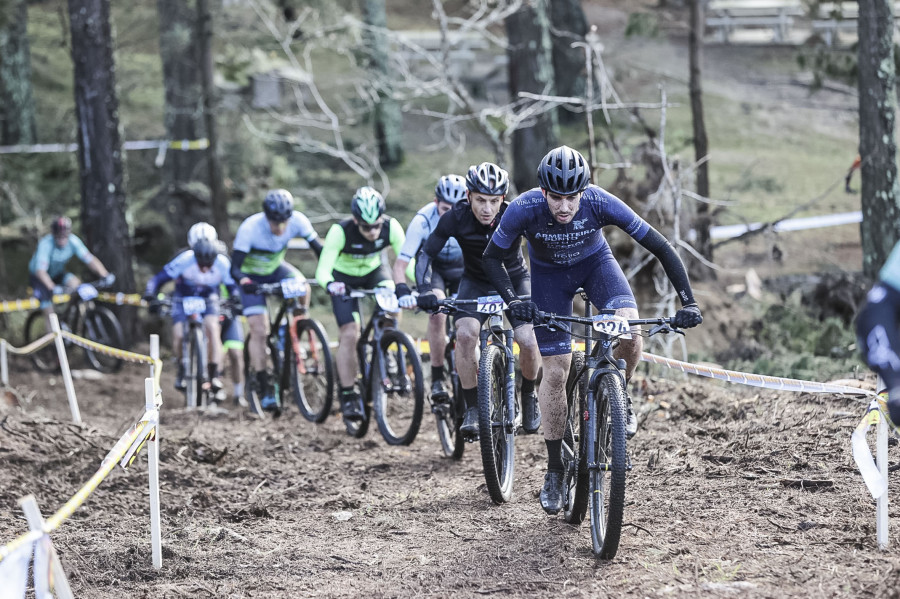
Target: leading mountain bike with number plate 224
point(594, 443)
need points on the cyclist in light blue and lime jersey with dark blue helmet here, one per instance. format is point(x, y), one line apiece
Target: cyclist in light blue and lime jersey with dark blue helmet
point(258, 257)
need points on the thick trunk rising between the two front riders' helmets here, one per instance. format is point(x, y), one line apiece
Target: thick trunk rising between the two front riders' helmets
point(531, 70)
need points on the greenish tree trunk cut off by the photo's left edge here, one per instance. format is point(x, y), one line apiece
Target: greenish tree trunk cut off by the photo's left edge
point(17, 124)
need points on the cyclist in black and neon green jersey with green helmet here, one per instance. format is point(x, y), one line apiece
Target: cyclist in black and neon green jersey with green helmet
point(352, 257)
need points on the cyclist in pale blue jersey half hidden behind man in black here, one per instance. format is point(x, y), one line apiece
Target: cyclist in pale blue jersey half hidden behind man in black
point(447, 269)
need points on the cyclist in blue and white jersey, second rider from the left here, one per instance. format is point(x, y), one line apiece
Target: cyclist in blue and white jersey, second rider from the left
point(198, 273)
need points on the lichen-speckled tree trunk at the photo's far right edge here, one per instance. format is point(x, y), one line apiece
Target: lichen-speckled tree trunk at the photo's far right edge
point(877, 139)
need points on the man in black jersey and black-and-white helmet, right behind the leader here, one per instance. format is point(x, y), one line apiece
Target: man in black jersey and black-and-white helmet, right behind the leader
point(472, 222)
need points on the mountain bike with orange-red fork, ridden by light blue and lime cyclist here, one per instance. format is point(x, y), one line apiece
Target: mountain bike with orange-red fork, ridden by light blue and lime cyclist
point(298, 349)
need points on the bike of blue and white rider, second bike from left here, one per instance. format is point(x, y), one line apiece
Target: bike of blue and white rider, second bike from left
point(194, 354)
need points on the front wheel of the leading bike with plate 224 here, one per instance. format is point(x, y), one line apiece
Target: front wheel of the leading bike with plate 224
point(607, 463)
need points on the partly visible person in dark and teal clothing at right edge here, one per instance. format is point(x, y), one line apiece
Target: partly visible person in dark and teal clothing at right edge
point(878, 331)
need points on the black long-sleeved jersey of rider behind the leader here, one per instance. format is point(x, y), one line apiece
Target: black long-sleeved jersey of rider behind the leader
point(461, 224)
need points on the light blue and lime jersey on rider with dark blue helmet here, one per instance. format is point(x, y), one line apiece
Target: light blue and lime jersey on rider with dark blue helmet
point(261, 250)
